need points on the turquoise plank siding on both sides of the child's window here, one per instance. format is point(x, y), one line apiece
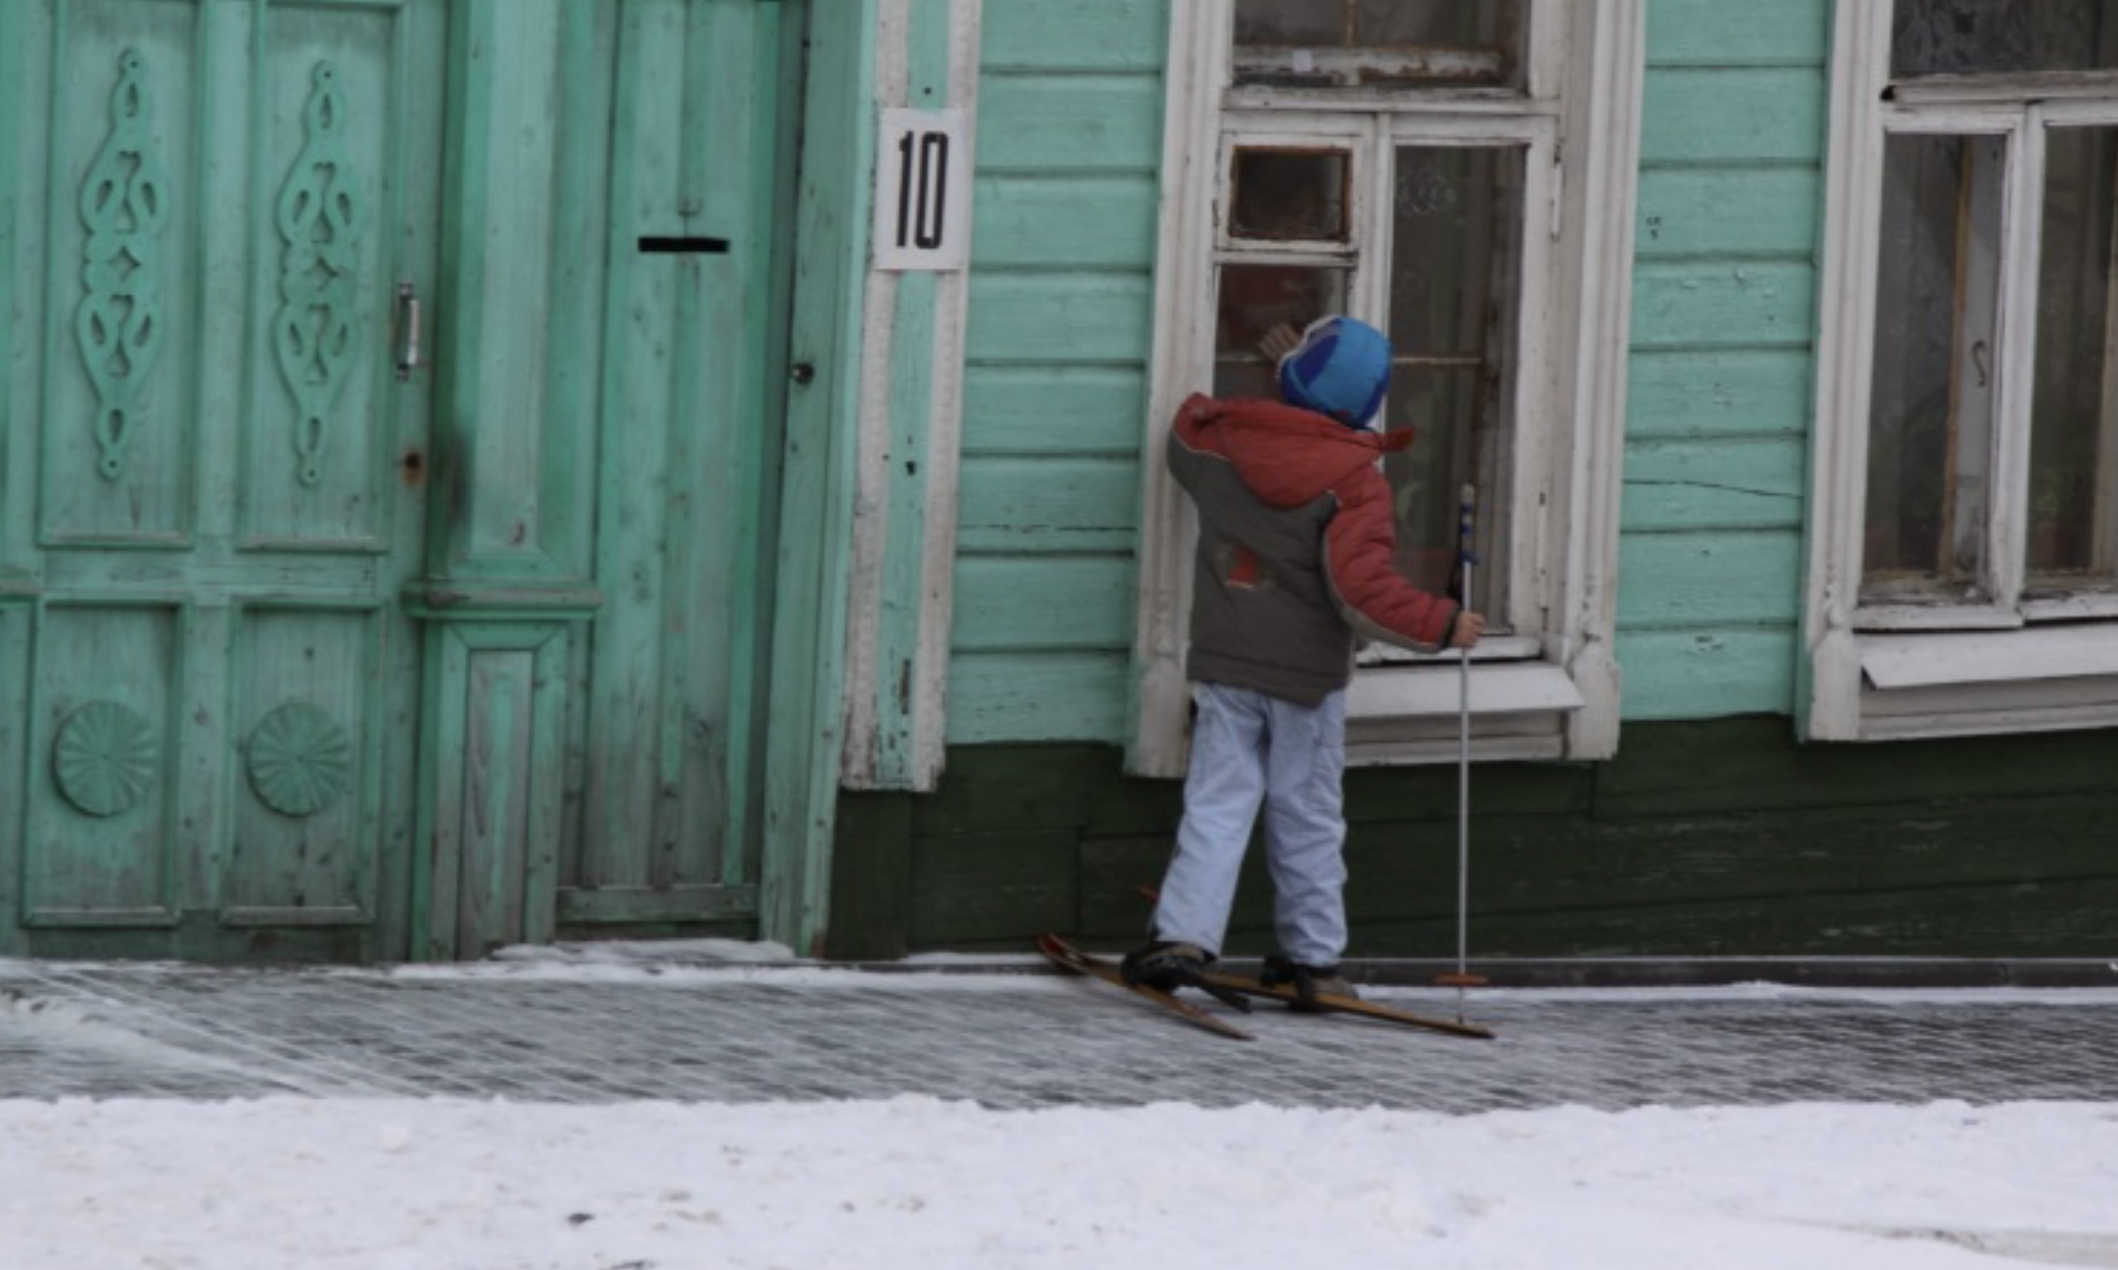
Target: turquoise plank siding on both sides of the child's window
point(1062, 312)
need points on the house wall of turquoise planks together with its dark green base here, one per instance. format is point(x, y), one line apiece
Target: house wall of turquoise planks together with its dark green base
point(1712, 833)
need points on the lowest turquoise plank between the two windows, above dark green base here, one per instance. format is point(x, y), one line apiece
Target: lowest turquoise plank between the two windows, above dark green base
point(1708, 674)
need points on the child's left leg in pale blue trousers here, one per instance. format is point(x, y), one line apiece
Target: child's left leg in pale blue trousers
point(1221, 805)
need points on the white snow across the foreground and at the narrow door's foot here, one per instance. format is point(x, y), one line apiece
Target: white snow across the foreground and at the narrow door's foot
point(922, 1184)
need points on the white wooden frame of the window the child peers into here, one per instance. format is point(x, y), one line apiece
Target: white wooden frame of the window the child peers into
point(1549, 693)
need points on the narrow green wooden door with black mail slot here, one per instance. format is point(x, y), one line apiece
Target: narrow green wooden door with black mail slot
point(700, 147)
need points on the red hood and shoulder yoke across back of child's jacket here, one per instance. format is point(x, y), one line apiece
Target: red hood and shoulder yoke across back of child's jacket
point(1282, 454)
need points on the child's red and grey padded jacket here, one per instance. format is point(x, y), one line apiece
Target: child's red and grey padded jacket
point(1295, 549)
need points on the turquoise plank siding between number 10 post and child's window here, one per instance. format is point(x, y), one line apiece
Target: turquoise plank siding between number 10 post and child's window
point(1056, 367)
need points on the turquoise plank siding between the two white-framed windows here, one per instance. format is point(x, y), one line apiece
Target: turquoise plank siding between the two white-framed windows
point(1721, 357)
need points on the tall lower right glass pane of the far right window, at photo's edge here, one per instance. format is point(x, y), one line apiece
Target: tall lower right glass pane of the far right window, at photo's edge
point(2075, 418)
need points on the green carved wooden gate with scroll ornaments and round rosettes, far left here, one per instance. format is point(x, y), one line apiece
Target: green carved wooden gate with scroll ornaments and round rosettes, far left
point(221, 217)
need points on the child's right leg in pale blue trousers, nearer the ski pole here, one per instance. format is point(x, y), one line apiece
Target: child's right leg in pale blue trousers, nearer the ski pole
point(1306, 829)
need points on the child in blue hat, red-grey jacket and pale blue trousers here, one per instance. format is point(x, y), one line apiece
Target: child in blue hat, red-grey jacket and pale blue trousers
point(1293, 568)
